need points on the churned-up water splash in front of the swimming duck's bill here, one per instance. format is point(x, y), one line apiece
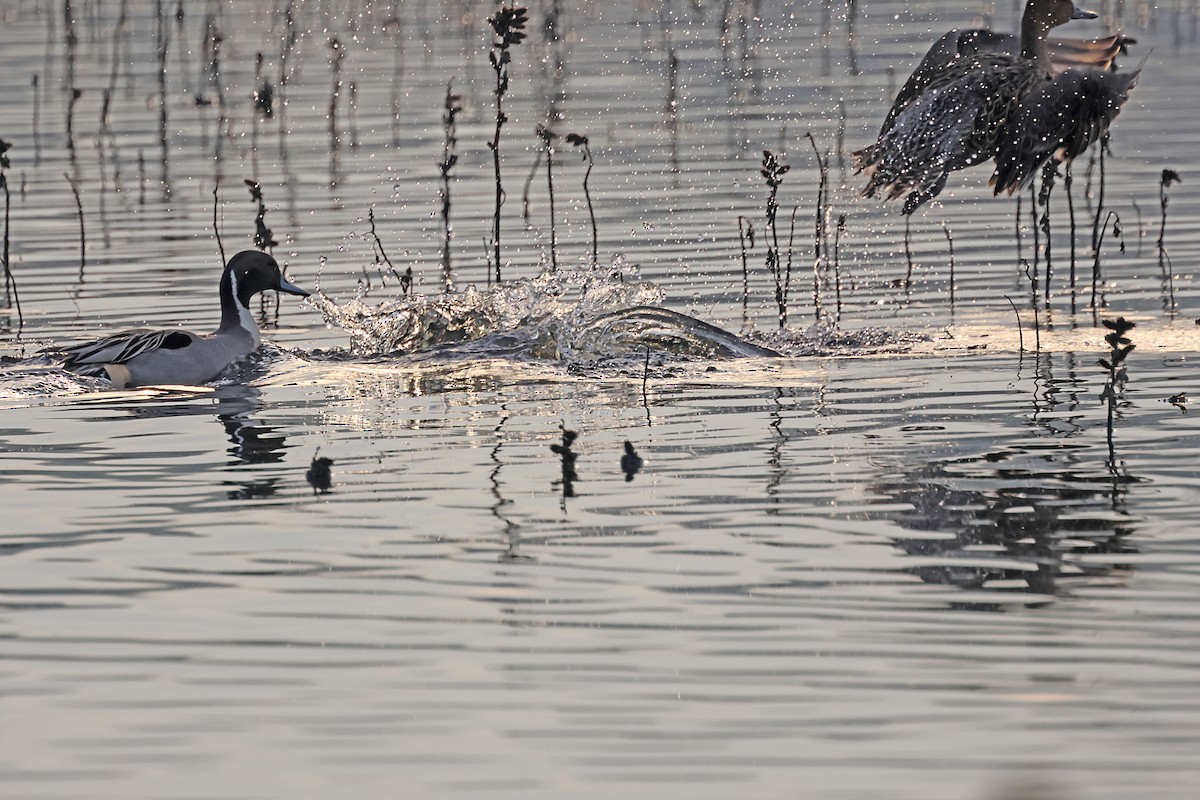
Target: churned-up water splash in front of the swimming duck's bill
point(575, 316)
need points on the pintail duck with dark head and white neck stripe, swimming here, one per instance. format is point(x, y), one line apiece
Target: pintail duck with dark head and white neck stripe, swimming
point(147, 357)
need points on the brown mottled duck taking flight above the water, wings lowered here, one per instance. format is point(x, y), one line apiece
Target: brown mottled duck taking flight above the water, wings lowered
point(1015, 107)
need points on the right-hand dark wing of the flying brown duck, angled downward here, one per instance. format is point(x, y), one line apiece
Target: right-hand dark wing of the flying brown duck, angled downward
point(1059, 121)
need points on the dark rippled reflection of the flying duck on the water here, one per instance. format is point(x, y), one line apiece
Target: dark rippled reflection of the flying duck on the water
point(1013, 521)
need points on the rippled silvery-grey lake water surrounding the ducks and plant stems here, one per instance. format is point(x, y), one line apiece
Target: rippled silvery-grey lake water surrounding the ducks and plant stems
point(904, 561)
